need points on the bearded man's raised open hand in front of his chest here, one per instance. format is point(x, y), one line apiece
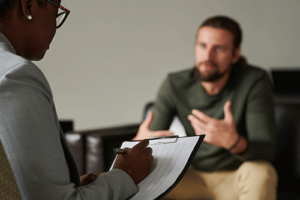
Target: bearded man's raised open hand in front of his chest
point(222, 133)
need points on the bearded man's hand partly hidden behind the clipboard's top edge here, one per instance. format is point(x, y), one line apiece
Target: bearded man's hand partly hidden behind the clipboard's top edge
point(144, 131)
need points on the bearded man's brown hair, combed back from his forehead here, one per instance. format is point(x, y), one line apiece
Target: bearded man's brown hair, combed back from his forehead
point(226, 23)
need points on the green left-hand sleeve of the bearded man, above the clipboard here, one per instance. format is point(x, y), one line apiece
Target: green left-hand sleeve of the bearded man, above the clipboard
point(164, 107)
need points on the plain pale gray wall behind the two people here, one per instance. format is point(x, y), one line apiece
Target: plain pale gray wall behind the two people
point(110, 57)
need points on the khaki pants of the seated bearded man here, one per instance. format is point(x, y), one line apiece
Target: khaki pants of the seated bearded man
point(255, 180)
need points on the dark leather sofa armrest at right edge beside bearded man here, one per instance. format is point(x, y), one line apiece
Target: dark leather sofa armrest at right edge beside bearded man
point(287, 160)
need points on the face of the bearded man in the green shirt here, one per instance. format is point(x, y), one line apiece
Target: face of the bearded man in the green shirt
point(214, 53)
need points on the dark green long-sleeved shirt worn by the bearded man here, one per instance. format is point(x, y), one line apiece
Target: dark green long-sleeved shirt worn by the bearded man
point(250, 91)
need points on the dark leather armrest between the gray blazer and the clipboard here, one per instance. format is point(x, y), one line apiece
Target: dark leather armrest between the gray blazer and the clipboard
point(93, 149)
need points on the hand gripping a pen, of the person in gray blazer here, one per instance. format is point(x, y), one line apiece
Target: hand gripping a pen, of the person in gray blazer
point(136, 161)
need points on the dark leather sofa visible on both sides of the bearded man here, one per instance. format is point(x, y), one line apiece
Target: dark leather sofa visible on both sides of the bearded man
point(93, 149)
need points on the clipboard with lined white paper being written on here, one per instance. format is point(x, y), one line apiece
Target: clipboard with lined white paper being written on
point(170, 166)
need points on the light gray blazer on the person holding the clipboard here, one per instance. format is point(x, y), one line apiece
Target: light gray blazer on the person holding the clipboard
point(40, 158)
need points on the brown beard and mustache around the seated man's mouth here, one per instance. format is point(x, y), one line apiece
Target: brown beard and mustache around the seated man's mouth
point(211, 76)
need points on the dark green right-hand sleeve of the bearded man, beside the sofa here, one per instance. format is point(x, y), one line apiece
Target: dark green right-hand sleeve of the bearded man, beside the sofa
point(260, 121)
